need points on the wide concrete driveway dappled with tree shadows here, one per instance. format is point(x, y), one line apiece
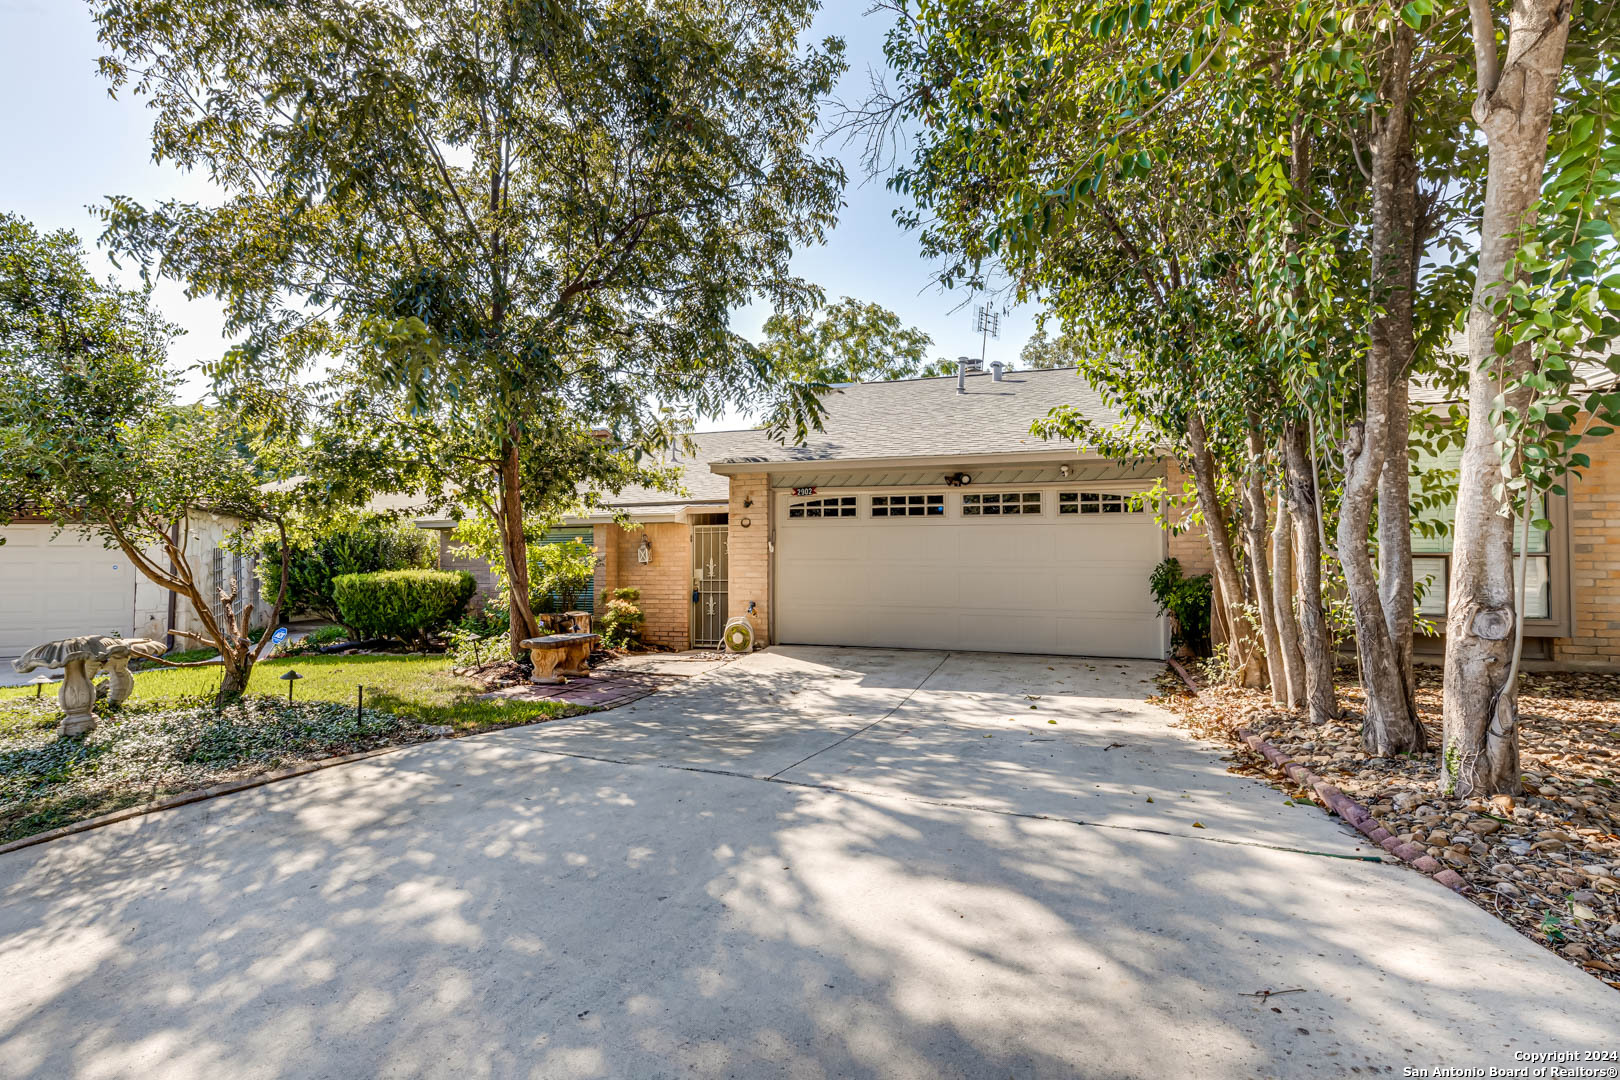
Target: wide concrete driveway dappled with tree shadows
point(811, 864)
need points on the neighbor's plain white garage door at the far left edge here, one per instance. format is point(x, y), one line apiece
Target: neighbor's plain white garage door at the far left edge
point(59, 589)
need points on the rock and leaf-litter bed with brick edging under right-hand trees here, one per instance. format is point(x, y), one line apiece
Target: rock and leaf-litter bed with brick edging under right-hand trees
point(1546, 862)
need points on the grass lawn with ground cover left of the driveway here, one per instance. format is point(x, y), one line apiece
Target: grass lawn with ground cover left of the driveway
point(173, 739)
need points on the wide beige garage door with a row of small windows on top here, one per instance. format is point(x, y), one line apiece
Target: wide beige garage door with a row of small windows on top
point(1057, 571)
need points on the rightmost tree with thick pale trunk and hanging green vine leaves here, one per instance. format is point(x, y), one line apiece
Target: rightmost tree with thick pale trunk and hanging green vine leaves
point(1537, 307)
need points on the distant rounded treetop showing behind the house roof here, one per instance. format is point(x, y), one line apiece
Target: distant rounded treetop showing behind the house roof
point(846, 342)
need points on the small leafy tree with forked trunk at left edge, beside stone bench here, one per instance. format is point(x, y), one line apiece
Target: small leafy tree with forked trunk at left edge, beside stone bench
point(92, 436)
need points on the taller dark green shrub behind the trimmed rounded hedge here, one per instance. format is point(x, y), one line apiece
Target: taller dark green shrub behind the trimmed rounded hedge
point(333, 548)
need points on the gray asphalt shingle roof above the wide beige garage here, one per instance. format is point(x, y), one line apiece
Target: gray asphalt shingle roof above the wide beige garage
point(897, 420)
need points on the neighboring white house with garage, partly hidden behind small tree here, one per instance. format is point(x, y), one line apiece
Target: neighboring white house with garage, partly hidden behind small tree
point(61, 585)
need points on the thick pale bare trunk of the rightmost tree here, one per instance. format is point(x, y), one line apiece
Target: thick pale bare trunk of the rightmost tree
point(1516, 113)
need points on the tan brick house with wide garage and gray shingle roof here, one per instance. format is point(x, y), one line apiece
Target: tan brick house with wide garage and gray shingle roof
point(924, 516)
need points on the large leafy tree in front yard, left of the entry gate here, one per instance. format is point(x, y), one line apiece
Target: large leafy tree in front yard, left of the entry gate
point(516, 223)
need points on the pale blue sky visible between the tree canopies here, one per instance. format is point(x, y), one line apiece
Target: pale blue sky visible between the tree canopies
point(72, 147)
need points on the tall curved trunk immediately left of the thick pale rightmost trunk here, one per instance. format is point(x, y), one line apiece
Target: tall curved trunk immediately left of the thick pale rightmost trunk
point(1389, 726)
